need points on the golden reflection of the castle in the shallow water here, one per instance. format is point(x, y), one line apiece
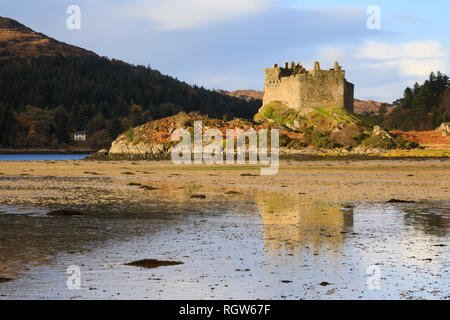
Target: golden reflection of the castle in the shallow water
point(294, 225)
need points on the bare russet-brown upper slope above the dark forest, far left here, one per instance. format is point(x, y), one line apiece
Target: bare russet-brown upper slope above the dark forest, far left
point(17, 40)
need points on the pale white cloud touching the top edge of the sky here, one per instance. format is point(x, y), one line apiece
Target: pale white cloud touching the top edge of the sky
point(191, 14)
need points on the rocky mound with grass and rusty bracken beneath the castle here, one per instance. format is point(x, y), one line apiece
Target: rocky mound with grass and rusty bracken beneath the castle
point(312, 132)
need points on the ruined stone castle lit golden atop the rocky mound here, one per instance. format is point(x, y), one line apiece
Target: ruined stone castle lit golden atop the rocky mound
point(299, 88)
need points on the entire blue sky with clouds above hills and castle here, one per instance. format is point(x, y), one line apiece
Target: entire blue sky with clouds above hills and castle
point(226, 44)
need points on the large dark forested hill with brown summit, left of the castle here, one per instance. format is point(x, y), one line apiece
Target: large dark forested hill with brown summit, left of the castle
point(51, 89)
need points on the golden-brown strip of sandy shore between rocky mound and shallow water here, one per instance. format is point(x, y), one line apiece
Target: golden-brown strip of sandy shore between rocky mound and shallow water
point(138, 185)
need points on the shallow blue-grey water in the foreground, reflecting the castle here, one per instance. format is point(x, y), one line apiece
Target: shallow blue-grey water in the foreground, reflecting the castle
point(270, 248)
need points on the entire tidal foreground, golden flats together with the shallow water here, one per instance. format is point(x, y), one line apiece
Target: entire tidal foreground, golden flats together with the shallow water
point(317, 230)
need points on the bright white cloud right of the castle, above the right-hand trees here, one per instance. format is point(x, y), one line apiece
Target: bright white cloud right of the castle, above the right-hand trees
point(411, 58)
